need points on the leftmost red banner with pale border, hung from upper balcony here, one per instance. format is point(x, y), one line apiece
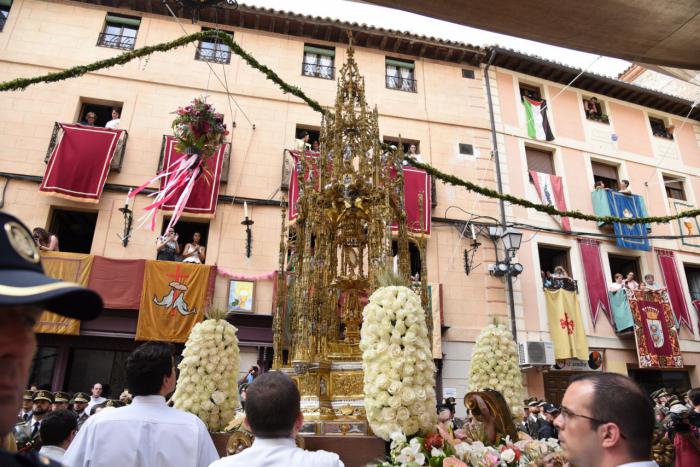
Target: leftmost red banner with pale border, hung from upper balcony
point(79, 164)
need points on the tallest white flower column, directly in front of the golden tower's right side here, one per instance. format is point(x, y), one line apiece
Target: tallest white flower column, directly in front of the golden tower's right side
point(399, 372)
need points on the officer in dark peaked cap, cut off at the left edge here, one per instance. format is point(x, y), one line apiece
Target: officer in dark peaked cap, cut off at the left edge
point(24, 292)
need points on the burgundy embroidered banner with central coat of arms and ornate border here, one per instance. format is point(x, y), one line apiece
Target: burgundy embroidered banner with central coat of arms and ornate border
point(656, 338)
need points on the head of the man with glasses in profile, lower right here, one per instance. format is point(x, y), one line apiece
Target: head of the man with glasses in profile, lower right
point(606, 420)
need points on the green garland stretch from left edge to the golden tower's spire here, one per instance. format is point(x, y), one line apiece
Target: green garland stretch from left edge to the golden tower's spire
point(22, 83)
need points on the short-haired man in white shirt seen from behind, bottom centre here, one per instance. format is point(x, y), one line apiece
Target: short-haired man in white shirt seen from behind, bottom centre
point(273, 413)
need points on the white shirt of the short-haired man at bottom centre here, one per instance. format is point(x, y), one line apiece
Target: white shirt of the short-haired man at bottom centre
point(283, 452)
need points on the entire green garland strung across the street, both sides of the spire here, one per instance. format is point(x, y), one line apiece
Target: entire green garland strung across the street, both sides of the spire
point(74, 72)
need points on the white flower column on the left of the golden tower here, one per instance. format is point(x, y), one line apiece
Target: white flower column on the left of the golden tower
point(207, 386)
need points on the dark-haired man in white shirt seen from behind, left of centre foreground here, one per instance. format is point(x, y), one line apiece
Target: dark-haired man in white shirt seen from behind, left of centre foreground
point(146, 433)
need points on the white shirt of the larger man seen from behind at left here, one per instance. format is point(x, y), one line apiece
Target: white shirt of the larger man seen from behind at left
point(146, 433)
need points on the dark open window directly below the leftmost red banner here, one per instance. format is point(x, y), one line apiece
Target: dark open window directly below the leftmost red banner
point(74, 229)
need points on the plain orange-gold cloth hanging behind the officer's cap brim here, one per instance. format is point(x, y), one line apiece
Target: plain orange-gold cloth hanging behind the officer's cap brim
point(71, 267)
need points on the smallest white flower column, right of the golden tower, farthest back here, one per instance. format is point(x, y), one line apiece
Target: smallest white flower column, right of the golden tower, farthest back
point(495, 366)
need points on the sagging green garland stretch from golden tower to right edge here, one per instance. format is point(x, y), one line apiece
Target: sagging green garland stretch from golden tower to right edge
point(548, 209)
